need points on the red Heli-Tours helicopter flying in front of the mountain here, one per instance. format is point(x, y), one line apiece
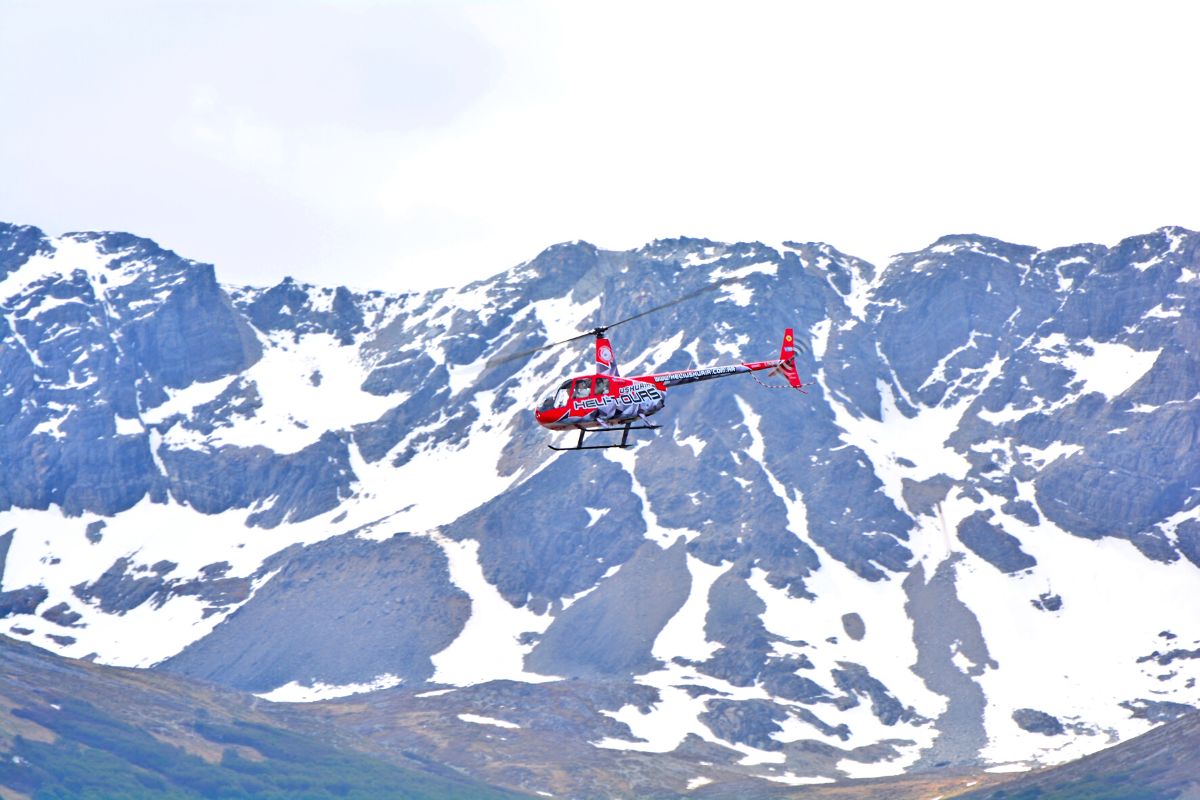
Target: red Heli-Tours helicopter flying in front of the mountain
point(604, 401)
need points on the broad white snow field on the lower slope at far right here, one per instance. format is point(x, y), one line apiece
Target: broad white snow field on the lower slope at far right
point(1075, 664)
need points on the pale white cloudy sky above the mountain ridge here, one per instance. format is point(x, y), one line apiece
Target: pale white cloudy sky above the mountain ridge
point(397, 145)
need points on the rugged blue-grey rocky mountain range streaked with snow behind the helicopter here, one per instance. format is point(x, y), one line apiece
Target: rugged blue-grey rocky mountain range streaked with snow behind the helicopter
point(975, 542)
